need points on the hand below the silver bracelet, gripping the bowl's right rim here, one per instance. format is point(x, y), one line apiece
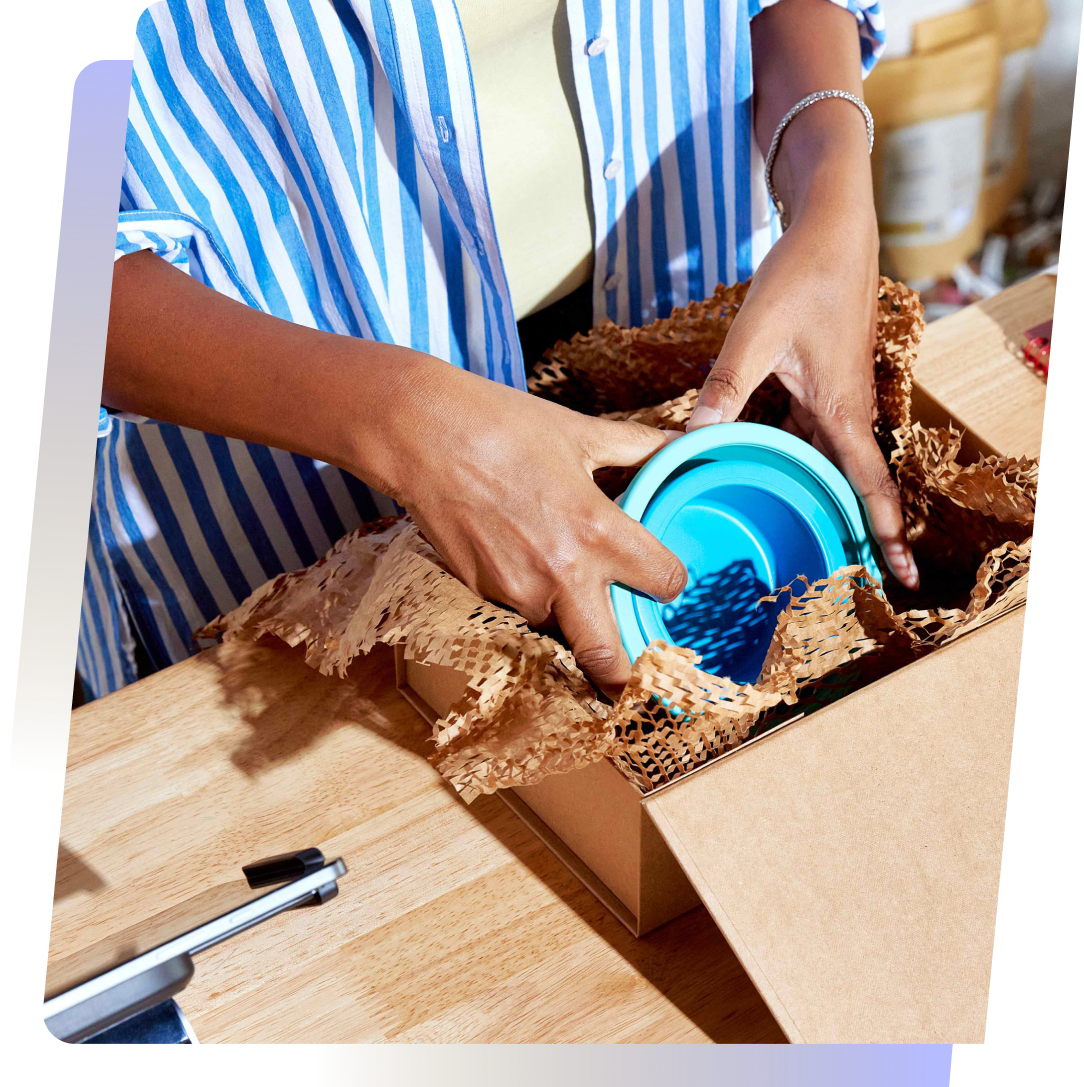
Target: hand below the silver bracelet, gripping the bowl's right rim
point(811, 318)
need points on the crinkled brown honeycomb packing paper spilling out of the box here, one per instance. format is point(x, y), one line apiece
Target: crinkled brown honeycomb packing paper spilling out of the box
point(529, 711)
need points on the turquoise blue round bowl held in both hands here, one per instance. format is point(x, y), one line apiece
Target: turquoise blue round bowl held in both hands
point(747, 509)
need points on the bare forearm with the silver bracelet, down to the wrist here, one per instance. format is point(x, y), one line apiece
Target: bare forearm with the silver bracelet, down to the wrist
point(823, 164)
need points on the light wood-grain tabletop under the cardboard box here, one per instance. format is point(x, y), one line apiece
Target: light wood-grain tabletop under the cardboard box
point(454, 923)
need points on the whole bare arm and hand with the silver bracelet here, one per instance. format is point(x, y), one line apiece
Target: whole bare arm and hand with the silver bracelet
point(809, 316)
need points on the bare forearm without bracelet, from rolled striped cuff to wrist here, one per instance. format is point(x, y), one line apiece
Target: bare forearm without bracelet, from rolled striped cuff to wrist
point(184, 354)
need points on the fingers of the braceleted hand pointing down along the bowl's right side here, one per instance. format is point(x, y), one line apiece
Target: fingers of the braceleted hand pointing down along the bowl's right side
point(849, 440)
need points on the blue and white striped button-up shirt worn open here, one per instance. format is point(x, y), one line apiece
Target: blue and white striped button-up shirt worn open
point(321, 160)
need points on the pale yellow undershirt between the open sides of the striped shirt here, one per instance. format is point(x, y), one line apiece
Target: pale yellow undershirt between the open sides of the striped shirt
point(521, 65)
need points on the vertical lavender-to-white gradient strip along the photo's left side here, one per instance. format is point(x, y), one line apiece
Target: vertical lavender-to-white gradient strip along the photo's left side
point(70, 418)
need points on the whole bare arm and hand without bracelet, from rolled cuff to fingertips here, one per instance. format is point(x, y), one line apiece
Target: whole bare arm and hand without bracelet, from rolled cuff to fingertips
point(500, 481)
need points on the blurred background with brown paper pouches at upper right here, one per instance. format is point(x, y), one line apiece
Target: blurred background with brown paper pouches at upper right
point(974, 105)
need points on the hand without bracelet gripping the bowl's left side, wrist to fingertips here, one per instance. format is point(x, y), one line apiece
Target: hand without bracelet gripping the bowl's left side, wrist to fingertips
point(501, 484)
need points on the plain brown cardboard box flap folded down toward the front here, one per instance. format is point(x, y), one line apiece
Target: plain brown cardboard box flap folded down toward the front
point(853, 860)
